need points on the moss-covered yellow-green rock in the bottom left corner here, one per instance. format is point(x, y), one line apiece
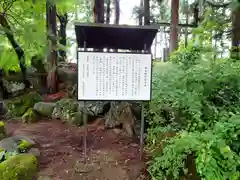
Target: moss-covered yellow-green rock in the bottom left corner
point(19, 167)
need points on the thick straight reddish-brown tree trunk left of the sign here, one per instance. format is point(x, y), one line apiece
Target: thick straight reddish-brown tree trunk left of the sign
point(52, 56)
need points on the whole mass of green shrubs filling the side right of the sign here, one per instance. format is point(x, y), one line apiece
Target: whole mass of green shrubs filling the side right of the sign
point(195, 112)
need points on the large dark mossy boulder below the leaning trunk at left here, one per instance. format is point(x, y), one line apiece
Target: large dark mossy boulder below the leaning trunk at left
point(19, 105)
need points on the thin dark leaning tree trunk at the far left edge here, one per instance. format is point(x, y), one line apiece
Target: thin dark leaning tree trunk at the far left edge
point(19, 51)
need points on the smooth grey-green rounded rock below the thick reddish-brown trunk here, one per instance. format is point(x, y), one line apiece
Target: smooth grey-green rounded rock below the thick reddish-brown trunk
point(44, 108)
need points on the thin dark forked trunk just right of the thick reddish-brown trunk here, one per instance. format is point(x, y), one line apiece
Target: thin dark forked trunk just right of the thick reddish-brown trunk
point(63, 19)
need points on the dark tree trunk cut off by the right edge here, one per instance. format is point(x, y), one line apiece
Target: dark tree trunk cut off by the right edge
point(235, 52)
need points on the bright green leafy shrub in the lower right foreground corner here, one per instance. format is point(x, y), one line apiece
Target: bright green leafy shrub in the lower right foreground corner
point(213, 150)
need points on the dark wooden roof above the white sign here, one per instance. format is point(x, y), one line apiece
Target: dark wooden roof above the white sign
point(115, 36)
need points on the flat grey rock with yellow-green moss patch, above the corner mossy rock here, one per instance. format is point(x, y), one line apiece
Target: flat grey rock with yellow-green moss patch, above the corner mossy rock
point(16, 143)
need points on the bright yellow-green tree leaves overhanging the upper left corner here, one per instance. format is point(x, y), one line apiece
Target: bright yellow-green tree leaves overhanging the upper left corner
point(28, 25)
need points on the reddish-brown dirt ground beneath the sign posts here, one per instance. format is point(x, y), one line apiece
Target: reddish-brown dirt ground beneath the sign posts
point(110, 156)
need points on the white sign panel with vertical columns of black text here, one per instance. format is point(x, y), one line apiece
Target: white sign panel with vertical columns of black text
point(114, 76)
